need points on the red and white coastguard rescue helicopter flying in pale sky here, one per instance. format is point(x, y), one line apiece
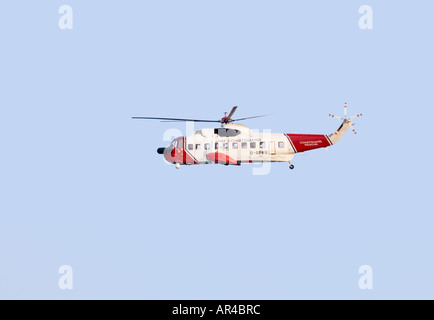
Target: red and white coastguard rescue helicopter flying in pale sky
point(234, 143)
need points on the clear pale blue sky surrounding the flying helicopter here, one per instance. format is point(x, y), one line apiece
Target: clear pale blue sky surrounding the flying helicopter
point(81, 183)
